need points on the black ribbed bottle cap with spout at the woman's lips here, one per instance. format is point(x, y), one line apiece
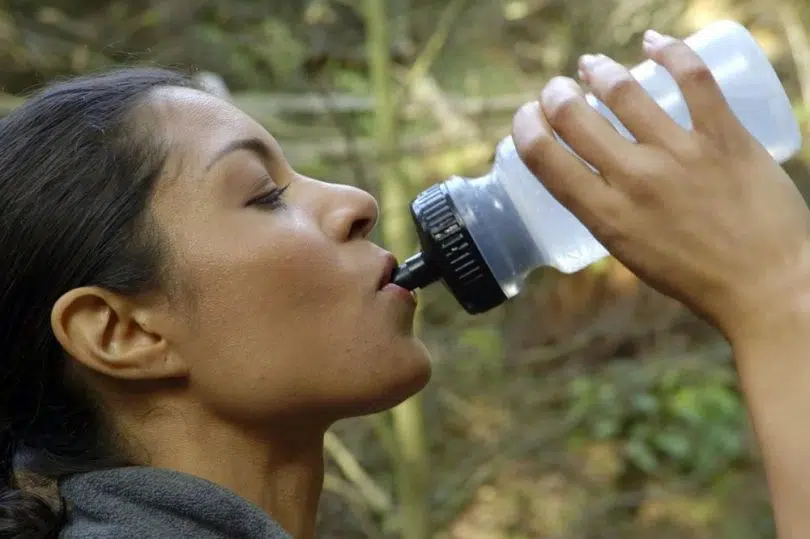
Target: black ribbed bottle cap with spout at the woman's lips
point(448, 253)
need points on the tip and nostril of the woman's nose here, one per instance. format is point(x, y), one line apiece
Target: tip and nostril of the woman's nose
point(353, 213)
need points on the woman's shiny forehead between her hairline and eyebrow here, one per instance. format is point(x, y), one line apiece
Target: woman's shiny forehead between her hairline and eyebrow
point(197, 125)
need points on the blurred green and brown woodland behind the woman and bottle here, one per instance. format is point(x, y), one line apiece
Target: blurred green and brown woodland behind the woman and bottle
point(589, 407)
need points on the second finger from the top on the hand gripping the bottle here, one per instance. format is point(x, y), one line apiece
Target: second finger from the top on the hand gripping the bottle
point(614, 85)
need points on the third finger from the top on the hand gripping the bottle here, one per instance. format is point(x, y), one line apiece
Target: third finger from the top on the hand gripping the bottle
point(586, 131)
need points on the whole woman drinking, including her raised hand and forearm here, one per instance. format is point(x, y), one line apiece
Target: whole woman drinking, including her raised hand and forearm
point(184, 315)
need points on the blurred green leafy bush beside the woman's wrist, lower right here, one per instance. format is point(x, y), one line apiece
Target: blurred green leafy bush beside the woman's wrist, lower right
point(691, 428)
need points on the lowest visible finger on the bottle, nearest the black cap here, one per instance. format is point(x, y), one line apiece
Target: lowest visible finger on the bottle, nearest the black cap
point(567, 178)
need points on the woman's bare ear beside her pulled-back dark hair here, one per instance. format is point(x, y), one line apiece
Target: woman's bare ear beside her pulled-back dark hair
point(112, 335)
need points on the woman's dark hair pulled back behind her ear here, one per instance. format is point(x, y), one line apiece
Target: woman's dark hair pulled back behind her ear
point(77, 169)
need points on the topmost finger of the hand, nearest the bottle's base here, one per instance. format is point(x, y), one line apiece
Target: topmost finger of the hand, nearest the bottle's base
point(708, 108)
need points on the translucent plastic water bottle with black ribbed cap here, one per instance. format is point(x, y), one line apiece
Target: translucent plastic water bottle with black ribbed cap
point(482, 237)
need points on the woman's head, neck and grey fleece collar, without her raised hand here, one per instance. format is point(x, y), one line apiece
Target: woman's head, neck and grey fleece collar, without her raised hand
point(182, 315)
